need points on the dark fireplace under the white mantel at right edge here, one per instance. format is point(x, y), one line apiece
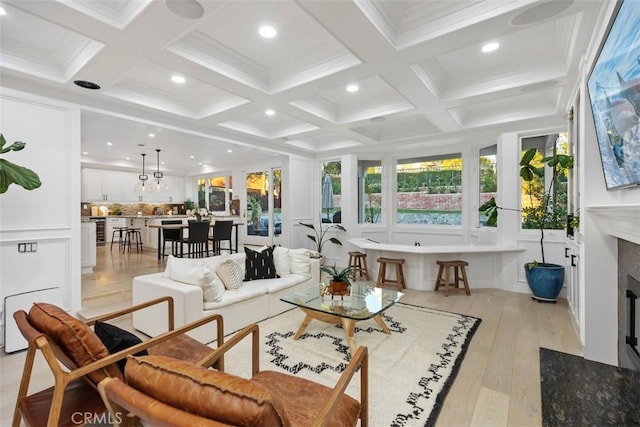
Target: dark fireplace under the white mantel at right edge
point(628, 305)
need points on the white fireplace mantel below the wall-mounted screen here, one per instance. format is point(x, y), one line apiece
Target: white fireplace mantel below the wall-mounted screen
point(621, 221)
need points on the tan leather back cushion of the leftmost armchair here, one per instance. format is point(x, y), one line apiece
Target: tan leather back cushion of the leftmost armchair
point(74, 337)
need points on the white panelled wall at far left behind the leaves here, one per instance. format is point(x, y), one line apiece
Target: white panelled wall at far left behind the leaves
point(49, 215)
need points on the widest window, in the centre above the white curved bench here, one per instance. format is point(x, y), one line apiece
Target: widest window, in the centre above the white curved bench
point(429, 190)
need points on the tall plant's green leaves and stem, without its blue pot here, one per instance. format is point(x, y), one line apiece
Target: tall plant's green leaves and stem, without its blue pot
point(545, 204)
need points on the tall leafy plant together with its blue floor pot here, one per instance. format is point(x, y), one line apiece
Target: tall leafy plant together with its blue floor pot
point(545, 279)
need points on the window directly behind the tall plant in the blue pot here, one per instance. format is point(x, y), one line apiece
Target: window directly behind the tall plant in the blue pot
point(547, 145)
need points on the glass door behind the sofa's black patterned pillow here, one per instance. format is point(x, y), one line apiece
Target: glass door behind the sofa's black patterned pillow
point(264, 206)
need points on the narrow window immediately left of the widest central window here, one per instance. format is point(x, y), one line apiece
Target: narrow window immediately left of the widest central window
point(369, 191)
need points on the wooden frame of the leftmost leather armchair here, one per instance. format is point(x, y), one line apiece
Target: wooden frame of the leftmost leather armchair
point(55, 357)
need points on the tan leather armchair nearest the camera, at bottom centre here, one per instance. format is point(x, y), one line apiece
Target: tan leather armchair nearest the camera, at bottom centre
point(165, 391)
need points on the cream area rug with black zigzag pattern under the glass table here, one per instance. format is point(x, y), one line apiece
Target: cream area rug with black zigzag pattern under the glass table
point(410, 371)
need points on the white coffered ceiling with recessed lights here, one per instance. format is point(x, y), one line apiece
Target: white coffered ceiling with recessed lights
point(417, 73)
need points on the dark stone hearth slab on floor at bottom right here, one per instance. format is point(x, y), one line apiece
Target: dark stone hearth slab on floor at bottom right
point(580, 392)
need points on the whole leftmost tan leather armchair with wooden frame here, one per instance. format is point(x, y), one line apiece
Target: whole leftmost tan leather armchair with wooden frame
point(79, 361)
